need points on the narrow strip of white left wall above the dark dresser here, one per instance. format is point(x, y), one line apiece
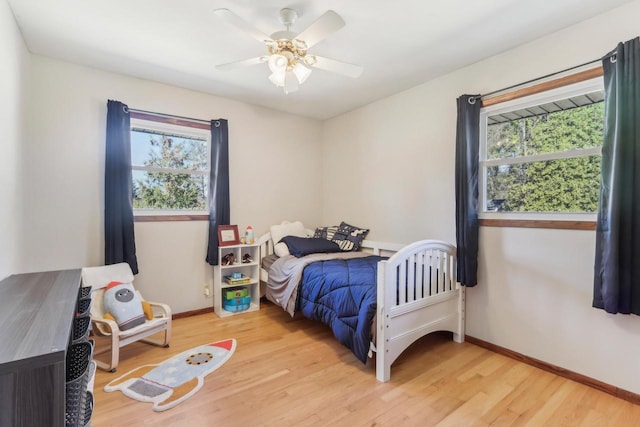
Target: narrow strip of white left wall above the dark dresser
point(12, 93)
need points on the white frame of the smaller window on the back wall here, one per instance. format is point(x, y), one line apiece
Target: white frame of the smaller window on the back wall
point(173, 129)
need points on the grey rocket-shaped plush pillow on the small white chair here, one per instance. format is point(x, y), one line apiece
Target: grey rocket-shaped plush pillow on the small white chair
point(123, 303)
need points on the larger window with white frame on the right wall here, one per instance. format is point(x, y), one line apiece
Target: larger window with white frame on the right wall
point(540, 155)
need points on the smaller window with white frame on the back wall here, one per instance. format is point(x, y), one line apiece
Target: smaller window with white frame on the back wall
point(170, 166)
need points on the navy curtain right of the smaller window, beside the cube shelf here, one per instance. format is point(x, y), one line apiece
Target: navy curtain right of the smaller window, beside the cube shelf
point(219, 212)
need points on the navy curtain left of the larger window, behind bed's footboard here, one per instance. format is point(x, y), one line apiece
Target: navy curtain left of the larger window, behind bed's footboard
point(467, 146)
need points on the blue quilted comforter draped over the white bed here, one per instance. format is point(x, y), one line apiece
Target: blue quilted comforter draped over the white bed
point(342, 294)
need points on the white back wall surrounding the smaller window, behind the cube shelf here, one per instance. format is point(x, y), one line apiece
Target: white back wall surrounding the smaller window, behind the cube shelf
point(64, 144)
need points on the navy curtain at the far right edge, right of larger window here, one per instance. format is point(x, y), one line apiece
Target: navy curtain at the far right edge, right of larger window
point(617, 260)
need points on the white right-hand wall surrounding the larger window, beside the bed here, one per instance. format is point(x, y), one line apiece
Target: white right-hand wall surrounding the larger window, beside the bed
point(395, 174)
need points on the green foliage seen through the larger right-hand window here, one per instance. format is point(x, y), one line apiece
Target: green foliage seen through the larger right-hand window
point(559, 185)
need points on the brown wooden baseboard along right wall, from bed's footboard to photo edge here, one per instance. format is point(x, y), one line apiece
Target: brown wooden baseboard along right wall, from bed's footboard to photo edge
point(583, 379)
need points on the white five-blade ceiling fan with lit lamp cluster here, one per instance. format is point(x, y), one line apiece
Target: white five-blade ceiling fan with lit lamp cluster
point(288, 57)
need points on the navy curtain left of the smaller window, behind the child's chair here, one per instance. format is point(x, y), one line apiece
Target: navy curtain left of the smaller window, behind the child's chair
point(119, 239)
